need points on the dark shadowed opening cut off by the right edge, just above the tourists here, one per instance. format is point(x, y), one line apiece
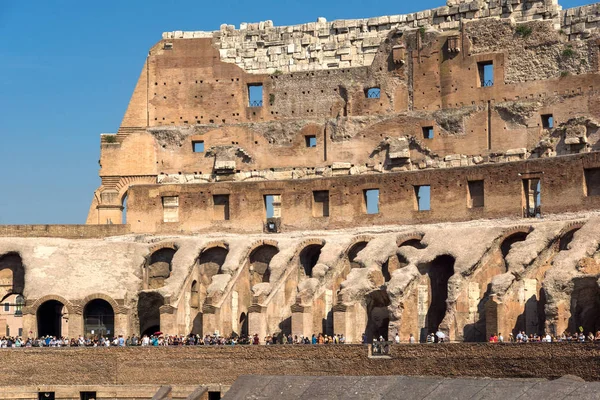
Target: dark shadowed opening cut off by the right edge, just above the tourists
point(585, 305)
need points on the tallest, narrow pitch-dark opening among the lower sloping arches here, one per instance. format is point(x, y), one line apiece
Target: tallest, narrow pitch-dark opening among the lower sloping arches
point(438, 273)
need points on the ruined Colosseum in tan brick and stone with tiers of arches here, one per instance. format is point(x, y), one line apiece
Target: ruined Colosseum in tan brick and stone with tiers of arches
point(401, 174)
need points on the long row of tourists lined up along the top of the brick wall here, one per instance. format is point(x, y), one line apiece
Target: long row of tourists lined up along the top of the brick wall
point(160, 339)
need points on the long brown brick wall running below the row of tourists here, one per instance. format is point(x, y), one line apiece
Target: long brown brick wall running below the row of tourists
point(224, 364)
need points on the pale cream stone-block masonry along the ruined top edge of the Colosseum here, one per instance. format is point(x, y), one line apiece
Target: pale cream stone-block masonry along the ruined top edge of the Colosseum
point(264, 48)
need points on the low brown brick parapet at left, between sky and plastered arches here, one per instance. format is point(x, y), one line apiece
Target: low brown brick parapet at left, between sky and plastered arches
point(64, 231)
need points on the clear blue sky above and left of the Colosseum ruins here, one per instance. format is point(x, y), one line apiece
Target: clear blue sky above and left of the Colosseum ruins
point(67, 71)
